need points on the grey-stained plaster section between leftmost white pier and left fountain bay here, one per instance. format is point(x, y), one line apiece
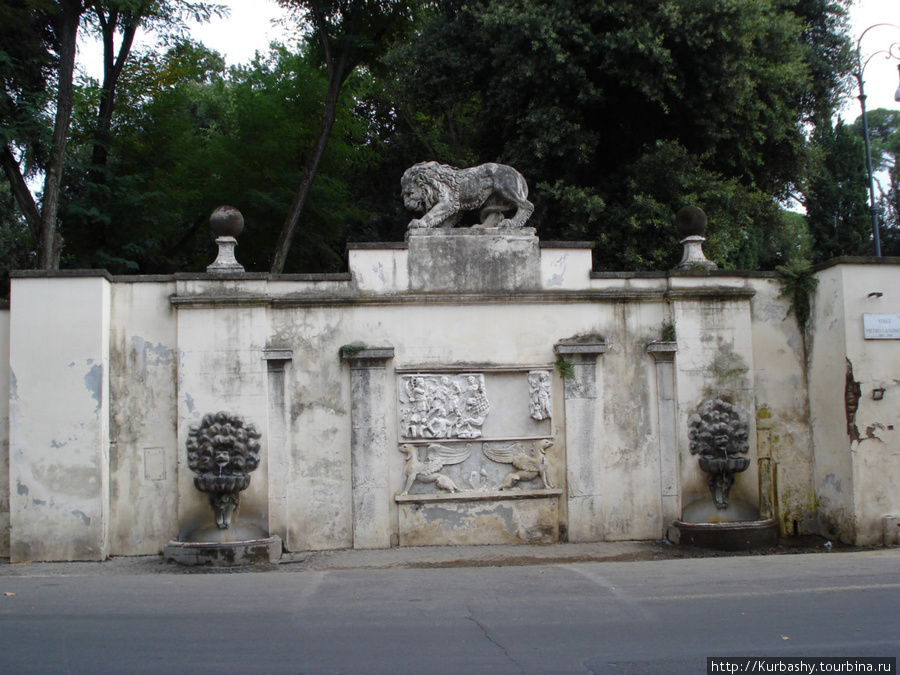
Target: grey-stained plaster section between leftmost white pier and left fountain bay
point(144, 448)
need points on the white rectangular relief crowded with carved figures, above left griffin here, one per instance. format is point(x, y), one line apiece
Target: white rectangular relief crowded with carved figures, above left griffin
point(442, 406)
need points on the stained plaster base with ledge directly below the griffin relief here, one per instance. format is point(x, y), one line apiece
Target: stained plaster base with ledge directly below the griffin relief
point(526, 517)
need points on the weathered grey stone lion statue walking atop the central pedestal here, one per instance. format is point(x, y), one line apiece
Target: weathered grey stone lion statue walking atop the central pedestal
point(444, 192)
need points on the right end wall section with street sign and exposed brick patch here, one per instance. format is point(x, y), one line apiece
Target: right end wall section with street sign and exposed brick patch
point(857, 469)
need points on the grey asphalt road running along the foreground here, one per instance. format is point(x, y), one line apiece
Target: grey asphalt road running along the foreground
point(636, 617)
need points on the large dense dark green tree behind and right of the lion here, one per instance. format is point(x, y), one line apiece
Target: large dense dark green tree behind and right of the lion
point(619, 113)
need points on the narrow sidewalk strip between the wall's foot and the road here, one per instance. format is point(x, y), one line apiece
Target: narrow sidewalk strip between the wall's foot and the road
point(419, 557)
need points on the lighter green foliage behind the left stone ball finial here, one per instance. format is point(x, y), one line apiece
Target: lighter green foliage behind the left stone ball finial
point(190, 136)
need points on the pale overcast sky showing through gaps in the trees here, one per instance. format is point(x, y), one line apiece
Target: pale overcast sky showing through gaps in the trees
point(250, 29)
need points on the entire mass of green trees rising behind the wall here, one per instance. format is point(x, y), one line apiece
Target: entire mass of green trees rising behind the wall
point(617, 112)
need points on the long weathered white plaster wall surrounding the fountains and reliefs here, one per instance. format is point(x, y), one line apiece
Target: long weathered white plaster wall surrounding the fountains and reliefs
point(168, 365)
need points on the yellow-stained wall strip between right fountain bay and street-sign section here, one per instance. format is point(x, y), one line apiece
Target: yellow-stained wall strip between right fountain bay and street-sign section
point(782, 407)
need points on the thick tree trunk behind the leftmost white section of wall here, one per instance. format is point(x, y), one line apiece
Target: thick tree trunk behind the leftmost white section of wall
point(50, 241)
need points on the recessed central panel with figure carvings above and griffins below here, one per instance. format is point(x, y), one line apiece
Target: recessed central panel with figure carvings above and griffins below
point(457, 440)
